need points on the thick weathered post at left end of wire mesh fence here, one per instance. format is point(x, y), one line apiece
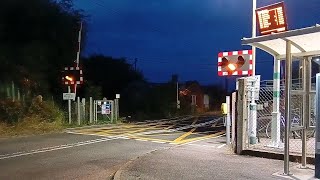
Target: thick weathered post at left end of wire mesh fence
point(242, 118)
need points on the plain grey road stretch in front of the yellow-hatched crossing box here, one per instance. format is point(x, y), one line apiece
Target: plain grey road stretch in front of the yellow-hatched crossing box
point(96, 160)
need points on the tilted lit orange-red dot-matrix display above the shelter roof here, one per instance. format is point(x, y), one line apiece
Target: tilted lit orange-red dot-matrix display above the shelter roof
point(271, 19)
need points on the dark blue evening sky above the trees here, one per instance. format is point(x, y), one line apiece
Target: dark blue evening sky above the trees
point(181, 36)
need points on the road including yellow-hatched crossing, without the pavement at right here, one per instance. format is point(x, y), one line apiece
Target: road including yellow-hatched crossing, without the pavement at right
point(97, 153)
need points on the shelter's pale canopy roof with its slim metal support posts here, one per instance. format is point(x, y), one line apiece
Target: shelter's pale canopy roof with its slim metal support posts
point(285, 51)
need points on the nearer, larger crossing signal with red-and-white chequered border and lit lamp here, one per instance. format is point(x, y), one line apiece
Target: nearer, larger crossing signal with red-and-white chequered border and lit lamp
point(235, 63)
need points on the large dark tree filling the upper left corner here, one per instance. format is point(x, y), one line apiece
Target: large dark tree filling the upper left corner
point(37, 39)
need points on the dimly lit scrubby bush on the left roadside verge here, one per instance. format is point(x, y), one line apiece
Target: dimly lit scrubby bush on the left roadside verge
point(36, 118)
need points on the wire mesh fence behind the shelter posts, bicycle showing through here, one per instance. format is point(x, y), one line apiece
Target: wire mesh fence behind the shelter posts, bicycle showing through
point(265, 116)
